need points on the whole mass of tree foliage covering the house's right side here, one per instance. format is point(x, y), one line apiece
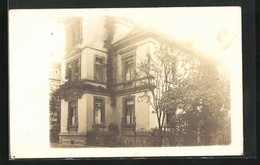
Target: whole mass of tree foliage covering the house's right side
point(195, 90)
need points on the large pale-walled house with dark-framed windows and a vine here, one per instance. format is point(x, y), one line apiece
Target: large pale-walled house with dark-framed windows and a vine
point(89, 104)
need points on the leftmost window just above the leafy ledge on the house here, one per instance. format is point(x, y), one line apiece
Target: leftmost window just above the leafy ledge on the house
point(73, 70)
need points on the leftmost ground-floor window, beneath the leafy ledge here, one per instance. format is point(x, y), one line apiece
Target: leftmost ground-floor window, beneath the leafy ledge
point(73, 113)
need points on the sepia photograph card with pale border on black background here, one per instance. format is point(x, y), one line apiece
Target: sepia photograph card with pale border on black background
point(126, 82)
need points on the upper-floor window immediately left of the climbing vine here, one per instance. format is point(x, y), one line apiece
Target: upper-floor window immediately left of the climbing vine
point(99, 70)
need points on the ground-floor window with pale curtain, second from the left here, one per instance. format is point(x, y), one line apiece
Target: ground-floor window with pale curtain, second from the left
point(99, 111)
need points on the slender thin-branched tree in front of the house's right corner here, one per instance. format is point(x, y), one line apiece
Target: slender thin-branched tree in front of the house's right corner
point(159, 68)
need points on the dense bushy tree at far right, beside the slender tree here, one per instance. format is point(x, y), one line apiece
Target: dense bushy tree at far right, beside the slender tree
point(204, 103)
